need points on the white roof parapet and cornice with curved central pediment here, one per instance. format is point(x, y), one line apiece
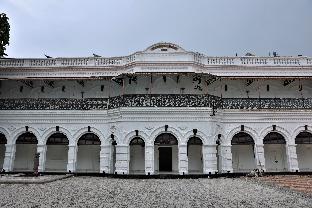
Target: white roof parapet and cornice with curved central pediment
point(158, 58)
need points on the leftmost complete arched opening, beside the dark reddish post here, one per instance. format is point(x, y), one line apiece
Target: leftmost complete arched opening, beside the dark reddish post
point(26, 148)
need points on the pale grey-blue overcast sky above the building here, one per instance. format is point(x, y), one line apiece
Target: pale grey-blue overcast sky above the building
point(120, 27)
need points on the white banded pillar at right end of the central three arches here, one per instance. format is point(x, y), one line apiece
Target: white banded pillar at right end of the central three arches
point(210, 160)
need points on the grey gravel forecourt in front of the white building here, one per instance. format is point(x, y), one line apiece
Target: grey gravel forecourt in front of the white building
point(109, 192)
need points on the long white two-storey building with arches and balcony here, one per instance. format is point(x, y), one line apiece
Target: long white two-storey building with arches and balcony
point(163, 109)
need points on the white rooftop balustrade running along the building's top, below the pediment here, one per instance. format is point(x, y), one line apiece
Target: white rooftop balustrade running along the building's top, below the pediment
point(158, 57)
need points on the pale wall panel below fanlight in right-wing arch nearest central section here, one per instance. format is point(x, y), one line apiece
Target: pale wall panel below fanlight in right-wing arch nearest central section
point(243, 158)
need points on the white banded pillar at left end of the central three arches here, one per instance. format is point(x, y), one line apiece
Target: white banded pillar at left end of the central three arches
point(122, 159)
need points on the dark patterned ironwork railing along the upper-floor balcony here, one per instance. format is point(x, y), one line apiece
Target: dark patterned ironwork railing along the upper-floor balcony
point(155, 100)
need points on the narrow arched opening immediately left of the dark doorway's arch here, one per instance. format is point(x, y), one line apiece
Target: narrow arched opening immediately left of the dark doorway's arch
point(137, 156)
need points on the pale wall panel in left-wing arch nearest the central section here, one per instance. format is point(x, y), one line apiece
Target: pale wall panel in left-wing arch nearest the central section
point(88, 158)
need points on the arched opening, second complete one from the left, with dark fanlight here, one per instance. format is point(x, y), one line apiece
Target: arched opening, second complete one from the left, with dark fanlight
point(57, 153)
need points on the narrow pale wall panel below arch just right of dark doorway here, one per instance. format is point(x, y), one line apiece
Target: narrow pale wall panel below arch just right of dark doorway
point(195, 159)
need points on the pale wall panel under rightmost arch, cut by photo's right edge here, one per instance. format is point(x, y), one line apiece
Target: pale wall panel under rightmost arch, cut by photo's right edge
point(304, 155)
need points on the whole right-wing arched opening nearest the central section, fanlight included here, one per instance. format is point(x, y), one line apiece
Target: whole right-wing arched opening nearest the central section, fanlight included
point(243, 155)
